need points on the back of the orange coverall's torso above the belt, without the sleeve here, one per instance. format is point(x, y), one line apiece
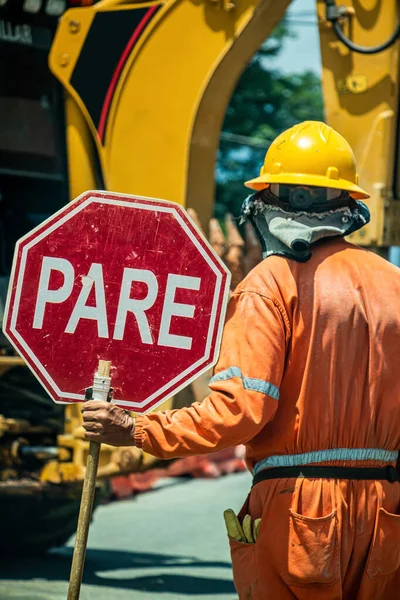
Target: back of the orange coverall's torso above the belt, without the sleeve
point(341, 386)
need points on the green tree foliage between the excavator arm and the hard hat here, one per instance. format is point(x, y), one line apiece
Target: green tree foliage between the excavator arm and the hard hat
point(265, 103)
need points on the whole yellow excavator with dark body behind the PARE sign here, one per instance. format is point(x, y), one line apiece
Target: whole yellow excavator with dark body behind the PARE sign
point(130, 97)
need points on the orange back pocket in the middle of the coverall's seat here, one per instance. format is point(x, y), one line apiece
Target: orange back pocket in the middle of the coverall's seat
point(313, 553)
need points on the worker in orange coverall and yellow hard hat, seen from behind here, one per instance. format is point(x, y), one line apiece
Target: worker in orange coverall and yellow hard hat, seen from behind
point(308, 379)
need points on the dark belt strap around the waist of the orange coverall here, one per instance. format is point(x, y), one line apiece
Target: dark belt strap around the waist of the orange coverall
point(321, 472)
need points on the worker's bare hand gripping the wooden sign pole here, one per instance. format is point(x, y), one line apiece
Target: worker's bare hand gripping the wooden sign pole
point(107, 424)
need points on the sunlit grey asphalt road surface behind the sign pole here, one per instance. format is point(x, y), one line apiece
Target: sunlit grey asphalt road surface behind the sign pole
point(168, 544)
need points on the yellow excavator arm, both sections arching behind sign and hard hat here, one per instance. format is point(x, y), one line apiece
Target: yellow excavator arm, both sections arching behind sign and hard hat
point(147, 87)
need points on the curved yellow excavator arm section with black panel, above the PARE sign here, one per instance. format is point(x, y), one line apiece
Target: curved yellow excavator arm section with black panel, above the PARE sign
point(147, 87)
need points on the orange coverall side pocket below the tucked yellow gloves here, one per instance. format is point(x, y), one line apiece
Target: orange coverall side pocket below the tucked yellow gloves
point(244, 569)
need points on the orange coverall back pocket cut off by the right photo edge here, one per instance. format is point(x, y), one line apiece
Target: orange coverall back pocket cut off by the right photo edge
point(384, 556)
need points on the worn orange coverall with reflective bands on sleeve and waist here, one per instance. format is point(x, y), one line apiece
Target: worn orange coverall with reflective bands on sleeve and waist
point(309, 373)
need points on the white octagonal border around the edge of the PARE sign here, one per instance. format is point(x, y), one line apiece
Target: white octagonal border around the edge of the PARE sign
point(154, 208)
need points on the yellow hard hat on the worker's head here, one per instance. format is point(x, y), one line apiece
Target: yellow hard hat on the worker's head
point(310, 153)
